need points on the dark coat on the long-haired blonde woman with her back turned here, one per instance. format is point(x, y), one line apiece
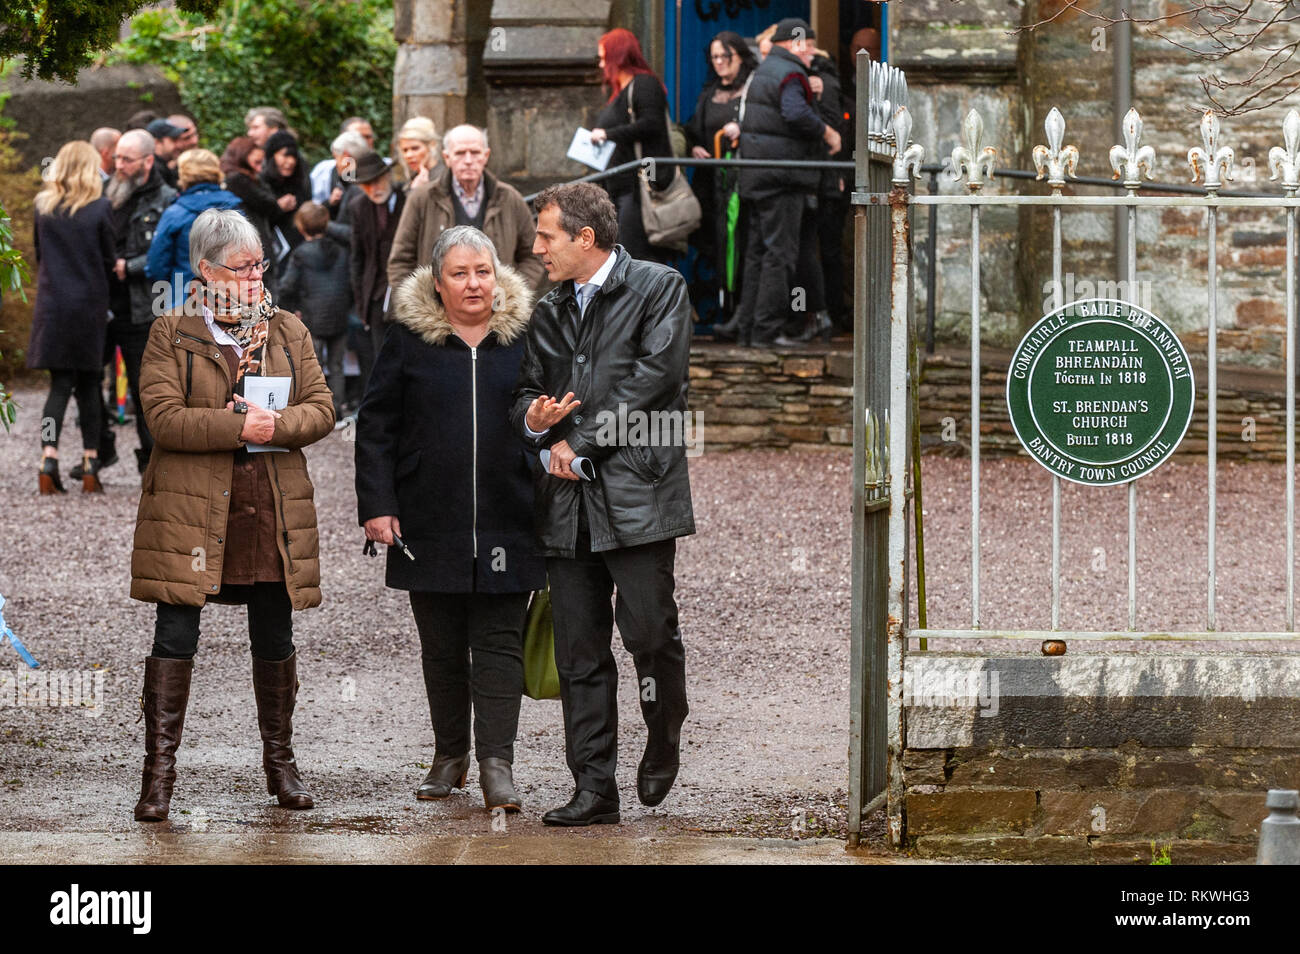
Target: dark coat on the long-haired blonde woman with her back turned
point(75, 258)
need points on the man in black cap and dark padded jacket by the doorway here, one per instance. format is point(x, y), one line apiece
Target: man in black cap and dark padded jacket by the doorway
point(781, 123)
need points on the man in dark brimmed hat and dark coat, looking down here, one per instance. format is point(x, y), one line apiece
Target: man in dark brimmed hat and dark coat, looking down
point(374, 213)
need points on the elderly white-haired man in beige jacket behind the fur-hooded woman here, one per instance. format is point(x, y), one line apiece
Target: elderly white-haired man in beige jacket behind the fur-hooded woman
point(466, 194)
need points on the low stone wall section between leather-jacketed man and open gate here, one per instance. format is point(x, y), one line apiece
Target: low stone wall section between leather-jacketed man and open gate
point(755, 398)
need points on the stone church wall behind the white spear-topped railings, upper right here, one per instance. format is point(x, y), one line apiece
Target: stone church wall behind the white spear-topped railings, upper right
point(967, 55)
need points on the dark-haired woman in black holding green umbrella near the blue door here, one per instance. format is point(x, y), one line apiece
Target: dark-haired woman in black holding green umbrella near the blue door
point(731, 63)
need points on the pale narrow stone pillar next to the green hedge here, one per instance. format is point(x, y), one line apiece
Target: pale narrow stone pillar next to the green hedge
point(432, 72)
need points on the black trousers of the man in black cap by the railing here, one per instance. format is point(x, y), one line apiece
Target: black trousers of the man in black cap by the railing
point(772, 257)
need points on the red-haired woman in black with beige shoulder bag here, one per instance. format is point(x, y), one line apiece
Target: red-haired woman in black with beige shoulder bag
point(636, 114)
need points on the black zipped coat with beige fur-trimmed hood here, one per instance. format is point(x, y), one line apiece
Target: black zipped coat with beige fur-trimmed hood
point(436, 450)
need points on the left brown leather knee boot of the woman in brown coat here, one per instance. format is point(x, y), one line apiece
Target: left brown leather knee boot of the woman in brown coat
point(167, 693)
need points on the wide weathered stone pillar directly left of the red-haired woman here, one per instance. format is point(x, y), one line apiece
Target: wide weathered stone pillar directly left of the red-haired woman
point(543, 83)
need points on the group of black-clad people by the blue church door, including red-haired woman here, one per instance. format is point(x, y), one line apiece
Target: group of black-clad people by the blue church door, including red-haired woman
point(778, 99)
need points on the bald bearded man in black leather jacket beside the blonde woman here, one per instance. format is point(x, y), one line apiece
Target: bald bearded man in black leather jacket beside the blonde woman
point(138, 197)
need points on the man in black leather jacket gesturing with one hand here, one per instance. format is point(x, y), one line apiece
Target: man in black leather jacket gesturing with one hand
point(614, 339)
